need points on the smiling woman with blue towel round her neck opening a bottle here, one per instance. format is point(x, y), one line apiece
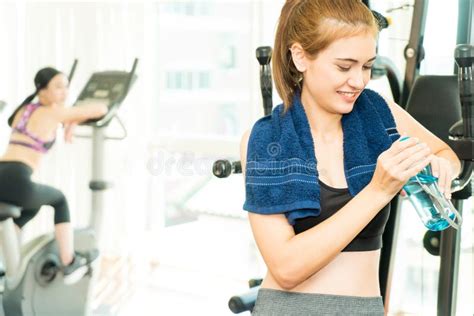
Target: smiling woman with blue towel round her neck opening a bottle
point(317, 211)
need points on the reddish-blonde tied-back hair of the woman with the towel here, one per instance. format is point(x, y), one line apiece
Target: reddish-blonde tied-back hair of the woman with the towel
point(314, 24)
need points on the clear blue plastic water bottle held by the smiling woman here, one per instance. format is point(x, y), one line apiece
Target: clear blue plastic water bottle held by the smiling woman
point(434, 209)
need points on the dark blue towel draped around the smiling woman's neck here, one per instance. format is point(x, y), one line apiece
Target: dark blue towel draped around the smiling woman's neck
point(281, 170)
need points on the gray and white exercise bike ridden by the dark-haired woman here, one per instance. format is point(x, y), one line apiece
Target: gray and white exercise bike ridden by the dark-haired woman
point(33, 285)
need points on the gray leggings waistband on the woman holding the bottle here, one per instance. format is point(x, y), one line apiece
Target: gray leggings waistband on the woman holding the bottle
point(275, 302)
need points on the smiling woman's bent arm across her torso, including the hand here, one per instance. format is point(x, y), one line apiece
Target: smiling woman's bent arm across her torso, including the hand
point(291, 258)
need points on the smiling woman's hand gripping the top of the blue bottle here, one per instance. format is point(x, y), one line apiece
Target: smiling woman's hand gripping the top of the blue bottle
point(396, 165)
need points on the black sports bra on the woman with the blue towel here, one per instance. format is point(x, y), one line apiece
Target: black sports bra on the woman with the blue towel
point(332, 200)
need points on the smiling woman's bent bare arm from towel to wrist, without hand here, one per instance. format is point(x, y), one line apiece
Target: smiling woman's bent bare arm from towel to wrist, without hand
point(292, 258)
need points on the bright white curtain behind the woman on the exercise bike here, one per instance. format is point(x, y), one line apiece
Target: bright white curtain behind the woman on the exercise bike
point(103, 36)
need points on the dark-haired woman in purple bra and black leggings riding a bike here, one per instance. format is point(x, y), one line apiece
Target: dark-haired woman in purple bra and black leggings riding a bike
point(34, 126)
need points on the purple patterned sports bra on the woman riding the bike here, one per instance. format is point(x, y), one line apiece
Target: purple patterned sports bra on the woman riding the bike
point(38, 144)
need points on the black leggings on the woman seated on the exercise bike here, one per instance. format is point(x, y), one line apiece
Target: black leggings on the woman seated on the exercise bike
point(17, 188)
